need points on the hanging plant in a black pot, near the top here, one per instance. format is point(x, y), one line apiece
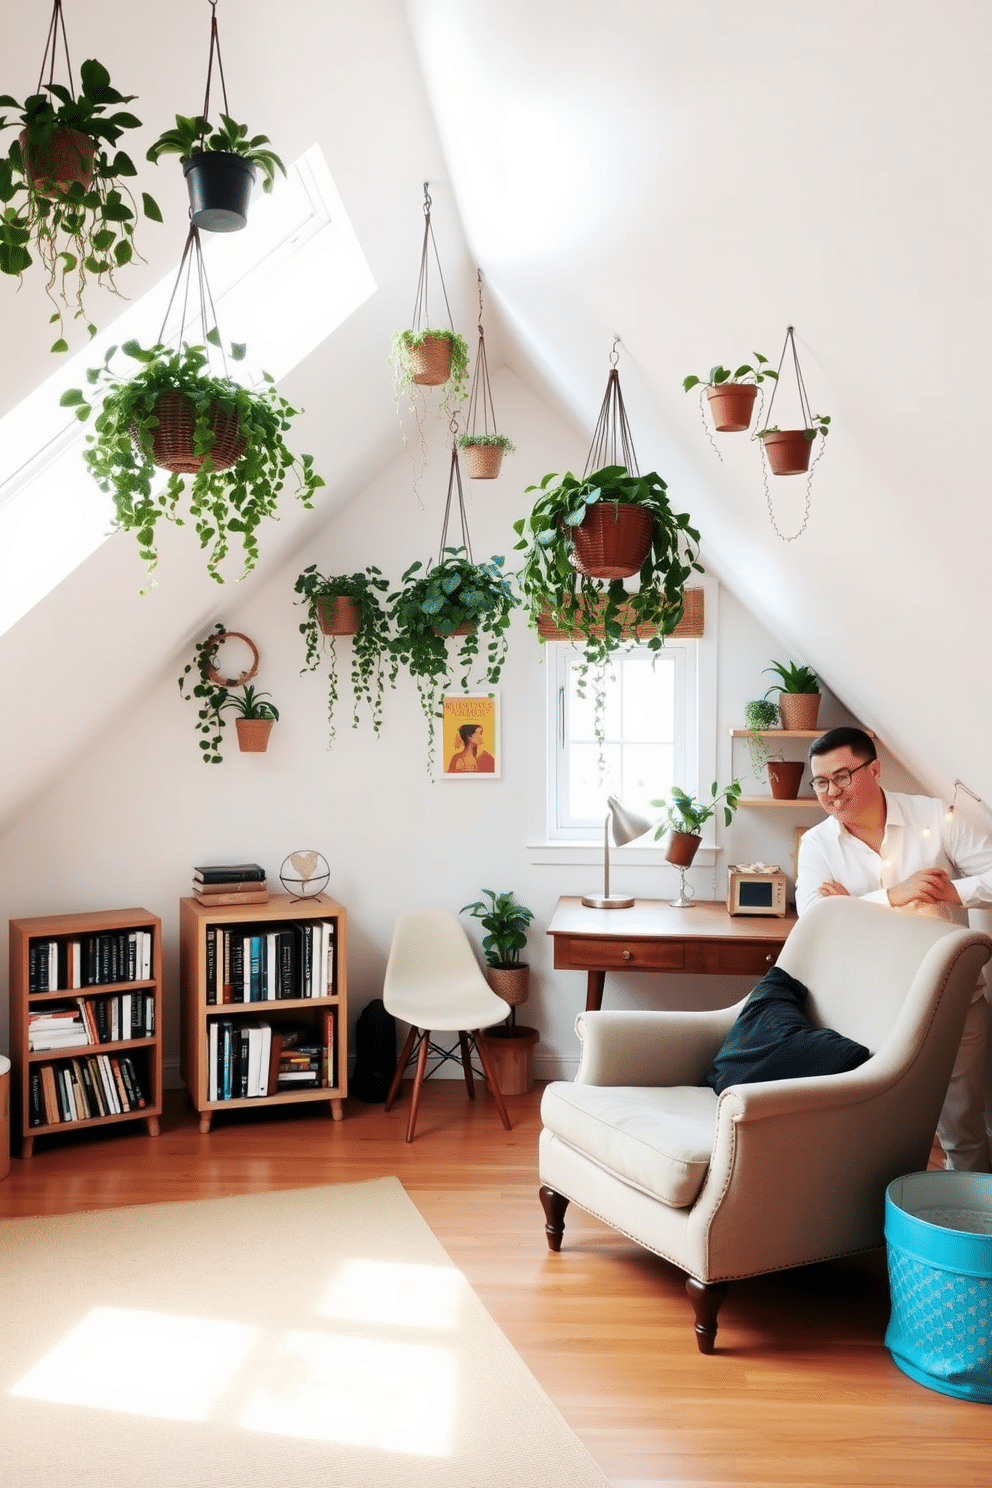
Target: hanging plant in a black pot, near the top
point(221, 164)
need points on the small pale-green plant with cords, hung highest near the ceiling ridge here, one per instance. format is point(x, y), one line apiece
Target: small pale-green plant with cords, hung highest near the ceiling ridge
point(429, 353)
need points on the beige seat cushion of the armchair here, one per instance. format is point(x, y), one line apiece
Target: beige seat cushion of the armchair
point(658, 1141)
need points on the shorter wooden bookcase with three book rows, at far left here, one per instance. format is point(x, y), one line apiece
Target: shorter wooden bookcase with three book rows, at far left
point(145, 1053)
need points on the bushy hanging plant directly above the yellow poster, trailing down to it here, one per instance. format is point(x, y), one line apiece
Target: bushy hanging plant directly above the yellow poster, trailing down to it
point(453, 597)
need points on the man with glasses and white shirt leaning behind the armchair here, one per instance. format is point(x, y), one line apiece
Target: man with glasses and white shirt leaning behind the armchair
point(917, 856)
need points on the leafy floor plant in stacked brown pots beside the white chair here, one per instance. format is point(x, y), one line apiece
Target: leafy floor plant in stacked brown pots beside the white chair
point(511, 1045)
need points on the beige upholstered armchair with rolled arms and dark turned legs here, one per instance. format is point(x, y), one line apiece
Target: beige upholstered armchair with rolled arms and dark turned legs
point(780, 1173)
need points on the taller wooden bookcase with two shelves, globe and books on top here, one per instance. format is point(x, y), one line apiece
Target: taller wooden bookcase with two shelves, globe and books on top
point(196, 922)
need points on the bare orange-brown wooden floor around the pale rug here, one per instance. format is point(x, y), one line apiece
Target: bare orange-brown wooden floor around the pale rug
point(801, 1391)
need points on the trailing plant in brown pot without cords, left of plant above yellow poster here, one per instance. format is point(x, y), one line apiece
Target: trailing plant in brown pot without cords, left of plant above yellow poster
point(349, 605)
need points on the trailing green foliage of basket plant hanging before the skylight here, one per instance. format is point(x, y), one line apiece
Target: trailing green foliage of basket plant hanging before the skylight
point(222, 505)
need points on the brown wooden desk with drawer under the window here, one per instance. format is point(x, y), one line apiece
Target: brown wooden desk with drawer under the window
point(654, 937)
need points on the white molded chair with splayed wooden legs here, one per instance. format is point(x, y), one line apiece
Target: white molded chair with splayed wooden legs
point(435, 984)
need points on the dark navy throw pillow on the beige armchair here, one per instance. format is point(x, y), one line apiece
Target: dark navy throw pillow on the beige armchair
point(773, 1039)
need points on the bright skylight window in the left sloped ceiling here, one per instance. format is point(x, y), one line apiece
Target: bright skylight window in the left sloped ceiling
point(283, 286)
